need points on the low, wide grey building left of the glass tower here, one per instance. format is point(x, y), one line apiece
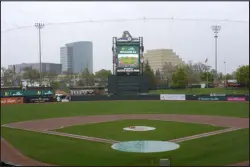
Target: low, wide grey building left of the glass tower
point(46, 67)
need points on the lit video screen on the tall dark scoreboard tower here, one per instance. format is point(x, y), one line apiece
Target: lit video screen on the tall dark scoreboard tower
point(128, 58)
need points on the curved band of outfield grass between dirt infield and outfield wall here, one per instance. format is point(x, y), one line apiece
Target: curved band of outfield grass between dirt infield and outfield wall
point(24, 112)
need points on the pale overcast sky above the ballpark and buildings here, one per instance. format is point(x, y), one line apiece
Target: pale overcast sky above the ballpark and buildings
point(190, 39)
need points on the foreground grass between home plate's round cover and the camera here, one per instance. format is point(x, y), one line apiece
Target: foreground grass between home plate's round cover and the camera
point(222, 149)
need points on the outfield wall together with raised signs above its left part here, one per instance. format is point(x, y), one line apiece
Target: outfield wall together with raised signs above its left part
point(87, 94)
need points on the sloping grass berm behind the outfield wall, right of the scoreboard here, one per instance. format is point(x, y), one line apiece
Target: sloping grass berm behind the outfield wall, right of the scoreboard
point(202, 91)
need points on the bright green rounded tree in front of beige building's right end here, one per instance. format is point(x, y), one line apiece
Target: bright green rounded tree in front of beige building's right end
point(179, 78)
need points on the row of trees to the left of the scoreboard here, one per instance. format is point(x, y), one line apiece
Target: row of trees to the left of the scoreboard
point(85, 78)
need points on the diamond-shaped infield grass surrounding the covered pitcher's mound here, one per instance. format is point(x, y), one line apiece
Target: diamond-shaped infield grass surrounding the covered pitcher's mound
point(165, 130)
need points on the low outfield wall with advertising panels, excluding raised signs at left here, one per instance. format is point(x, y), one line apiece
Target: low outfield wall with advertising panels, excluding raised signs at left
point(169, 97)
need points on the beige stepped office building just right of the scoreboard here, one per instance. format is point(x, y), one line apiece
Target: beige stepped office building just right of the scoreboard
point(158, 57)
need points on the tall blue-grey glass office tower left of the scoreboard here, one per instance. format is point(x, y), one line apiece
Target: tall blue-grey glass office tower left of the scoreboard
point(77, 56)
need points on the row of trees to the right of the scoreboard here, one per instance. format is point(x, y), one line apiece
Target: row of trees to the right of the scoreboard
point(180, 76)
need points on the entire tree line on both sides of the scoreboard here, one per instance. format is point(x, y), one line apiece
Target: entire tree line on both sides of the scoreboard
point(179, 76)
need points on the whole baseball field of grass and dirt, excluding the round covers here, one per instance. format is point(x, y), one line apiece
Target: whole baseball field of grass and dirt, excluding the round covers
point(81, 133)
